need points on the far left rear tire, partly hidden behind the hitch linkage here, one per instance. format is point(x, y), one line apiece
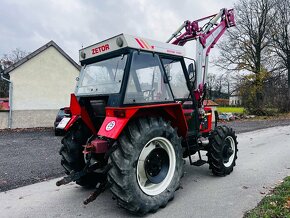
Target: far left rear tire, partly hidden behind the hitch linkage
point(72, 154)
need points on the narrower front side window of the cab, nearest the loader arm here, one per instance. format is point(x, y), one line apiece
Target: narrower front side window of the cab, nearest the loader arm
point(174, 71)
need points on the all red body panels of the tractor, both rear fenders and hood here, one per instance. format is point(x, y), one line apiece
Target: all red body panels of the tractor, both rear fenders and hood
point(117, 118)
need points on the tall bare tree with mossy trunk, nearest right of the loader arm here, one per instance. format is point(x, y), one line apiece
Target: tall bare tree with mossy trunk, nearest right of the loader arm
point(247, 47)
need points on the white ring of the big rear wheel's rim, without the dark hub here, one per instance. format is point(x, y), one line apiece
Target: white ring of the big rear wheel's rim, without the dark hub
point(143, 179)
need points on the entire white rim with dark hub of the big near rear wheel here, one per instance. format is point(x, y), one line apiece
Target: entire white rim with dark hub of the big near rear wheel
point(156, 166)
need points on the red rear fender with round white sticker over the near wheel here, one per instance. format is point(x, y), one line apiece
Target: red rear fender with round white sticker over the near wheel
point(117, 118)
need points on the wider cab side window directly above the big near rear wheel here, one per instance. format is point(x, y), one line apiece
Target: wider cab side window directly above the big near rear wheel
point(146, 81)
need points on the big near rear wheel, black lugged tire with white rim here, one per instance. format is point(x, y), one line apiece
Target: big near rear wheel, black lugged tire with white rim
point(146, 166)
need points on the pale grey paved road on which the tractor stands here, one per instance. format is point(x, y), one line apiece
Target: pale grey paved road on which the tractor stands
point(263, 160)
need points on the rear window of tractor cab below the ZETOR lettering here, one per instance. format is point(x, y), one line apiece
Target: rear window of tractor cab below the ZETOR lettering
point(104, 77)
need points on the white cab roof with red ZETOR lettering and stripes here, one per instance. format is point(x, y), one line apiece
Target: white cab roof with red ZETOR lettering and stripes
point(127, 41)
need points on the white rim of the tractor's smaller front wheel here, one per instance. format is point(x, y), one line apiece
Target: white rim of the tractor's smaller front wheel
point(229, 151)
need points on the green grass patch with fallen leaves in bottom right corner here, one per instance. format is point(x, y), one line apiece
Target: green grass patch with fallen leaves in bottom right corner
point(276, 204)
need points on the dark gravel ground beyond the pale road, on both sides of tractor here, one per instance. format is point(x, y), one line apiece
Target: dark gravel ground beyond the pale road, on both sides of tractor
point(30, 156)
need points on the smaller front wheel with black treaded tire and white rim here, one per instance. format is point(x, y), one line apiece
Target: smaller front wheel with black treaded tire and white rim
point(222, 152)
